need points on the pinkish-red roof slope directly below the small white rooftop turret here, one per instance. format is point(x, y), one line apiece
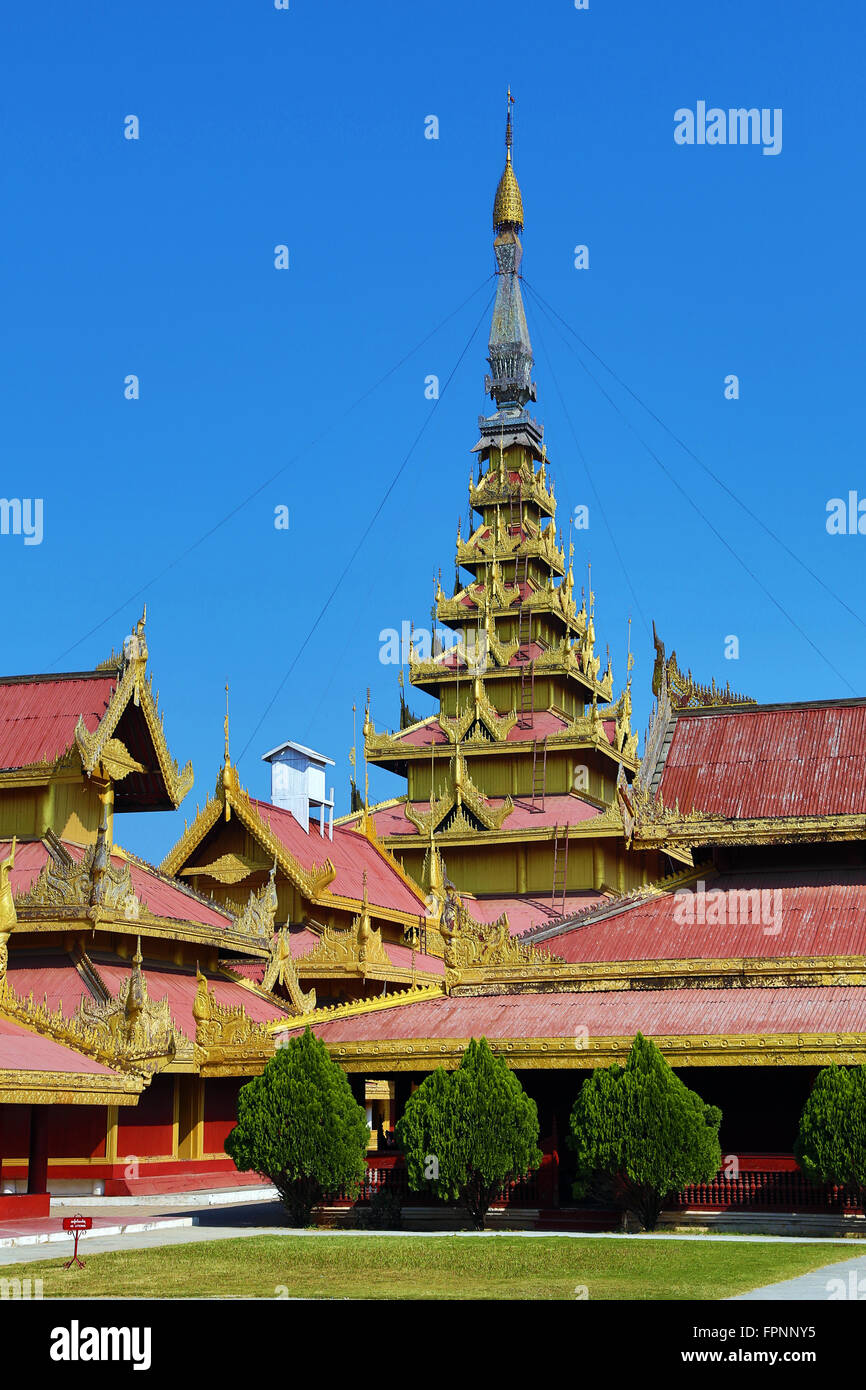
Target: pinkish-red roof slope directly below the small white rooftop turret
point(351, 854)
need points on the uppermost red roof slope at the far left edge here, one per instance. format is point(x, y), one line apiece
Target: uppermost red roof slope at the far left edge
point(38, 718)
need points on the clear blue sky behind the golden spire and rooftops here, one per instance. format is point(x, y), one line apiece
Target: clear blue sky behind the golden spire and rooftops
point(307, 127)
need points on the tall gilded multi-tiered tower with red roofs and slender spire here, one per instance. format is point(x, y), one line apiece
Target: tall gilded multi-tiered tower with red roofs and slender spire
point(515, 782)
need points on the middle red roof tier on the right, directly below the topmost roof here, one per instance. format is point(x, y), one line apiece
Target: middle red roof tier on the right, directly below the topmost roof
point(818, 913)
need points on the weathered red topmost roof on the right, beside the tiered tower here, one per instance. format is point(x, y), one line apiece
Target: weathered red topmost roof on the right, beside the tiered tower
point(776, 762)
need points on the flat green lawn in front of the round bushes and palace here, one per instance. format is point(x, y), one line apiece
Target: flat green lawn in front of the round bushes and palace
point(370, 1267)
